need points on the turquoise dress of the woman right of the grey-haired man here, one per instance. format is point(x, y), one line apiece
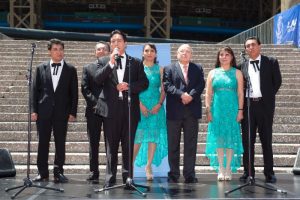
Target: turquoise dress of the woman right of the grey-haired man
point(224, 131)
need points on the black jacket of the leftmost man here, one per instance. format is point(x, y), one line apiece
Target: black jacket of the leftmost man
point(59, 104)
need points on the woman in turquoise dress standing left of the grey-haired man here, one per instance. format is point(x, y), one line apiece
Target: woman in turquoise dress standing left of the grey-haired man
point(150, 145)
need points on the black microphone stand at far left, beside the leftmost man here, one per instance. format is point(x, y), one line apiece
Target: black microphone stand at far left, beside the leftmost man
point(27, 181)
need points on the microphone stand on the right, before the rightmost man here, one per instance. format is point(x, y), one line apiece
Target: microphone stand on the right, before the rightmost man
point(250, 180)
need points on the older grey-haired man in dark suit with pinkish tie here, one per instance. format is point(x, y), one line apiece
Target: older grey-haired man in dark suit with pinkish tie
point(183, 83)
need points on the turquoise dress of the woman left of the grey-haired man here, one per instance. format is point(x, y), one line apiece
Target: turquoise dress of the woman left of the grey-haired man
point(152, 128)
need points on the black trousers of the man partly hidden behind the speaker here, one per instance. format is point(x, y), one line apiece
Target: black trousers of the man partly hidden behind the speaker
point(94, 123)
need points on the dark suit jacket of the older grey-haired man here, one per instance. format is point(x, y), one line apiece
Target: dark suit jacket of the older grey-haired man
point(175, 86)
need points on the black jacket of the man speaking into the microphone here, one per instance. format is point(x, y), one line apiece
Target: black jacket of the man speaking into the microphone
point(109, 96)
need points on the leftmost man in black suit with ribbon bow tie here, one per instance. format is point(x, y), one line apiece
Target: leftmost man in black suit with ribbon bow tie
point(54, 104)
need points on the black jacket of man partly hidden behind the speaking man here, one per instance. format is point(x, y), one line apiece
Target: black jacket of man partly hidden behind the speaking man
point(89, 87)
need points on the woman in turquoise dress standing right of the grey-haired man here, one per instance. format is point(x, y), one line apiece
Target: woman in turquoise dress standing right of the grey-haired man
point(224, 101)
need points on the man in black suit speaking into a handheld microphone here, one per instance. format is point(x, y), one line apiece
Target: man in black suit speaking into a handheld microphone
point(113, 74)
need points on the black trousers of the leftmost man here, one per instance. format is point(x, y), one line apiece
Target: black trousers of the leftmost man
point(44, 129)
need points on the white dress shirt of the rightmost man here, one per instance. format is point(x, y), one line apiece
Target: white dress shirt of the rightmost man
point(254, 79)
